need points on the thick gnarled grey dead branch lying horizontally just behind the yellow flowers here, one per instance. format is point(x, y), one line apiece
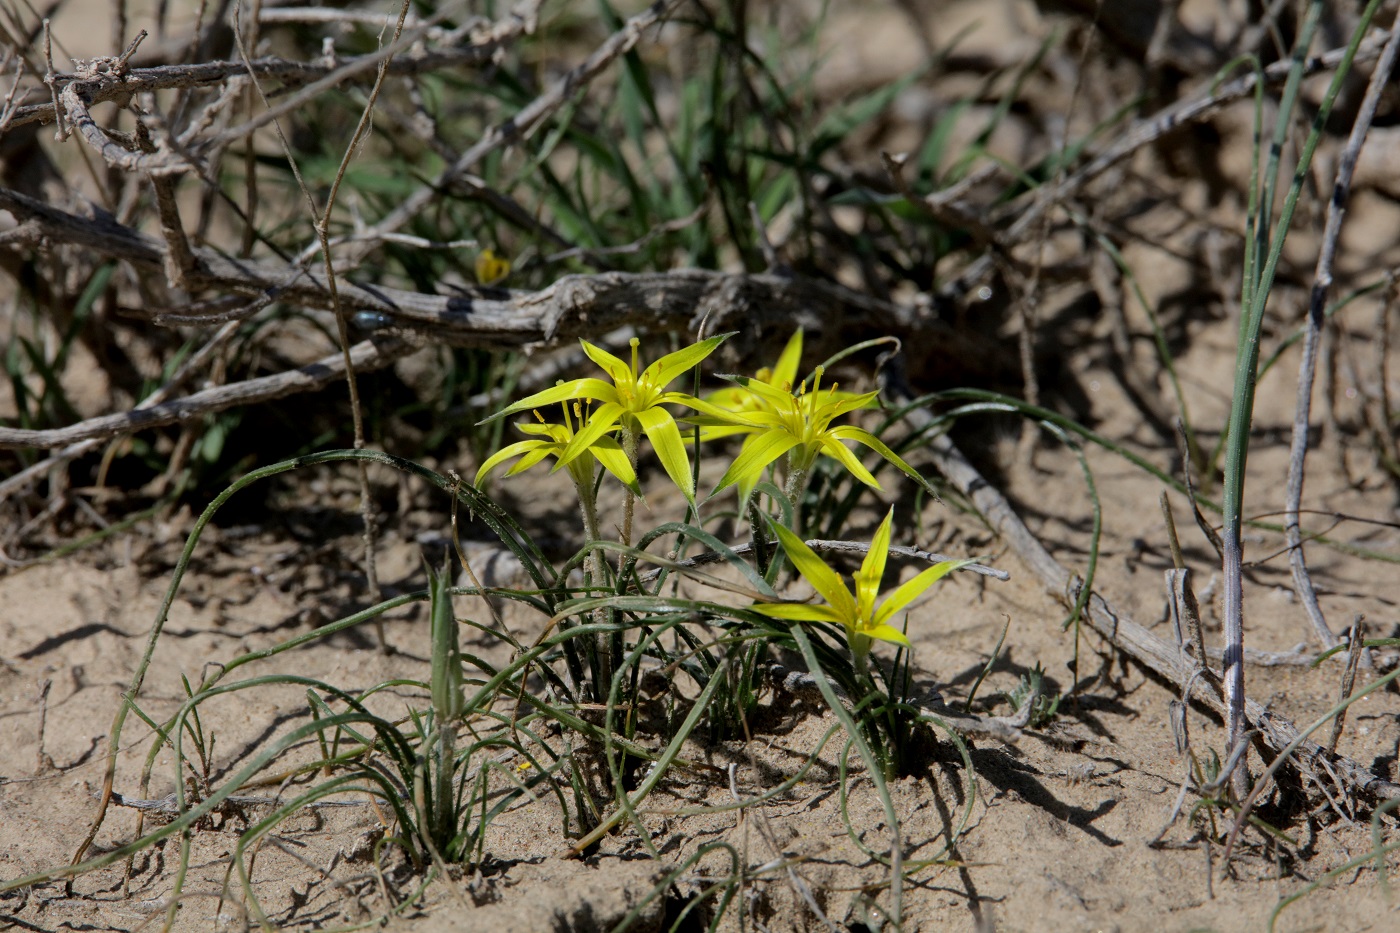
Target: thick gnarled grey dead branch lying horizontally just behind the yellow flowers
point(493, 319)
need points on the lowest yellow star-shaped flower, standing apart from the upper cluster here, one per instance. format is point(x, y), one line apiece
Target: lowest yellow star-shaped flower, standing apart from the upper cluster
point(855, 611)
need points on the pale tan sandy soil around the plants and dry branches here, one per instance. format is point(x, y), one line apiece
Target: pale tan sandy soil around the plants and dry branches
point(1066, 830)
